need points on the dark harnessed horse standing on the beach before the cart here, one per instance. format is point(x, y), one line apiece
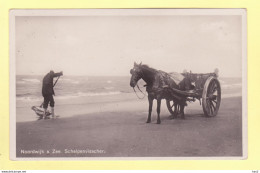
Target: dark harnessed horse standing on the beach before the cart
point(158, 86)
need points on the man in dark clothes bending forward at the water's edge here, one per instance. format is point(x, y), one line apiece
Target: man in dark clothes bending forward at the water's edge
point(48, 92)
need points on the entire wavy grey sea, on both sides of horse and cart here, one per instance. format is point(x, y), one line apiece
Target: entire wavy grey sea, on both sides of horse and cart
point(28, 87)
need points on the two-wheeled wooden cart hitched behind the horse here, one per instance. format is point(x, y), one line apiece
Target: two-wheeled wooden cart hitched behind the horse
point(207, 90)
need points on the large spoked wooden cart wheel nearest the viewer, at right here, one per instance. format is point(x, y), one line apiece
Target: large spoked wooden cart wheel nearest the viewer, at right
point(211, 97)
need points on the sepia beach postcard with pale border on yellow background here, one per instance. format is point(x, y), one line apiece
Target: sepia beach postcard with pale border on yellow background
point(128, 84)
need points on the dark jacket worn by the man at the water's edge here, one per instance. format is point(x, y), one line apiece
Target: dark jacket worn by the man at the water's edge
point(47, 83)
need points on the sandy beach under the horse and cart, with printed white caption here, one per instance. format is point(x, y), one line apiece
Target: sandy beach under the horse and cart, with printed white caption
point(119, 129)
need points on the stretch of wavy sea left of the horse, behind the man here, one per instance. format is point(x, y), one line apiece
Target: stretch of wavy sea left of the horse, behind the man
point(28, 88)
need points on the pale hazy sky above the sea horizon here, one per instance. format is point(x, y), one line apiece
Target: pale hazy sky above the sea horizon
point(109, 45)
